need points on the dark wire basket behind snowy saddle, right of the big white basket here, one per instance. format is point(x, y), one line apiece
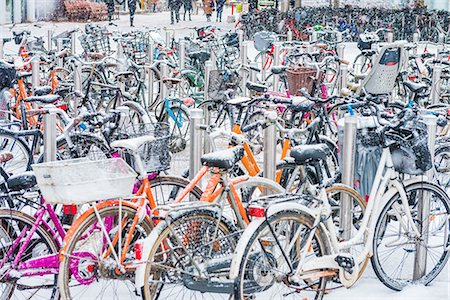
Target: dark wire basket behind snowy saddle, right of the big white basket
point(155, 155)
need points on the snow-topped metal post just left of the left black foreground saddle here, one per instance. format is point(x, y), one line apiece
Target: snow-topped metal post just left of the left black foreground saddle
point(196, 115)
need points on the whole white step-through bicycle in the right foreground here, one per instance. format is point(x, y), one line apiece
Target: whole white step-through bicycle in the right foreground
point(291, 250)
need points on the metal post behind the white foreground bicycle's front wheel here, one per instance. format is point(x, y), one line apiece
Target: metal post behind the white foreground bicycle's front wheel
point(423, 208)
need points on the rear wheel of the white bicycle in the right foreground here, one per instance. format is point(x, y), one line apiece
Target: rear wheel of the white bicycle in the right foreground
point(264, 270)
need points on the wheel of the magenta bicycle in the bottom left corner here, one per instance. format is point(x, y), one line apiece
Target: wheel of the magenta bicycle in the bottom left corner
point(15, 284)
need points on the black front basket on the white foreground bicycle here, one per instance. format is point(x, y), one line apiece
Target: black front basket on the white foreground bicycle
point(410, 152)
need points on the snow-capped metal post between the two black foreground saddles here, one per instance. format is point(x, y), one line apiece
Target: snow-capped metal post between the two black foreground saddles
point(270, 146)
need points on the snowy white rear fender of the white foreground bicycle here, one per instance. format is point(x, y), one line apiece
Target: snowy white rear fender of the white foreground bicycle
point(248, 233)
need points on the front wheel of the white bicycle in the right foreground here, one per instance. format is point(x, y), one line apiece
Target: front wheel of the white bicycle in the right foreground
point(395, 244)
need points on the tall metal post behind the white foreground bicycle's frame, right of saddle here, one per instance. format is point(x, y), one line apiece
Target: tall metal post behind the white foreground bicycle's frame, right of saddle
point(348, 167)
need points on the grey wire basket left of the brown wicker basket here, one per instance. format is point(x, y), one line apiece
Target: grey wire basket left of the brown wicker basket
point(220, 83)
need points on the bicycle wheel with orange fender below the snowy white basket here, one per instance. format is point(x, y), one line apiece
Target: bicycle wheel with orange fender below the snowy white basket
point(88, 269)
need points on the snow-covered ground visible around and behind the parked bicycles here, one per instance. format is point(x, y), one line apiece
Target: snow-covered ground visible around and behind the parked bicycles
point(368, 287)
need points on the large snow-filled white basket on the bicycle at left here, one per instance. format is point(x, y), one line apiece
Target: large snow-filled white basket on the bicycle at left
point(79, 181)
